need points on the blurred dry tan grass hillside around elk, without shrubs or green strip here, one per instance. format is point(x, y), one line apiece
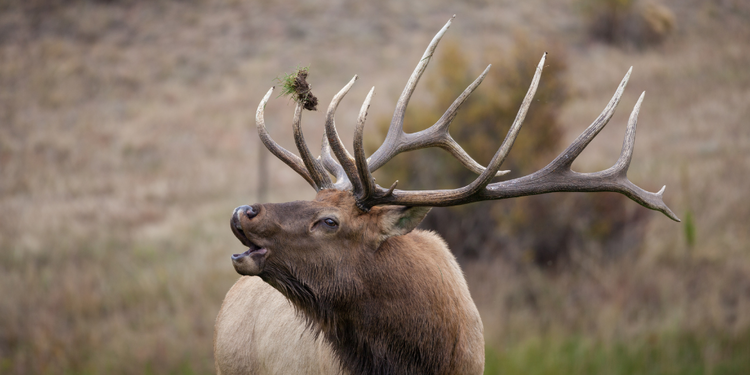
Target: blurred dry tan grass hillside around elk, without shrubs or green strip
point(124, 146)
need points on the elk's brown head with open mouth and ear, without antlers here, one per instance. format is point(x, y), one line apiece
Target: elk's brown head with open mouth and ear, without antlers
point(327, 234)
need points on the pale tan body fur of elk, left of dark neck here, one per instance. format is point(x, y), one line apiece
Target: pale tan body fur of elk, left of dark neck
point(258, 332)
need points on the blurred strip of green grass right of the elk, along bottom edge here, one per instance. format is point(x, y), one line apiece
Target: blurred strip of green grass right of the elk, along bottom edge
point(680, 353)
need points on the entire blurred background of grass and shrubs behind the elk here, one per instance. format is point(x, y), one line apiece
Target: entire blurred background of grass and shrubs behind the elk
point(127, 138)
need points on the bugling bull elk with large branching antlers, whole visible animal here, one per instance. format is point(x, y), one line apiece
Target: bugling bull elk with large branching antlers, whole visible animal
point(345, 283)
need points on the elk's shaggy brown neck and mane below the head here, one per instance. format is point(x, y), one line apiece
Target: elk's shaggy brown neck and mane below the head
point(384, 320)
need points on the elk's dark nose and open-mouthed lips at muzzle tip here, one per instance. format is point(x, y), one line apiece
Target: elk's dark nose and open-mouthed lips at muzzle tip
point(250, 262)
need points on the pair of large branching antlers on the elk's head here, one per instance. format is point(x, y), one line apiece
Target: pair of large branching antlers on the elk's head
point(355, 173)
